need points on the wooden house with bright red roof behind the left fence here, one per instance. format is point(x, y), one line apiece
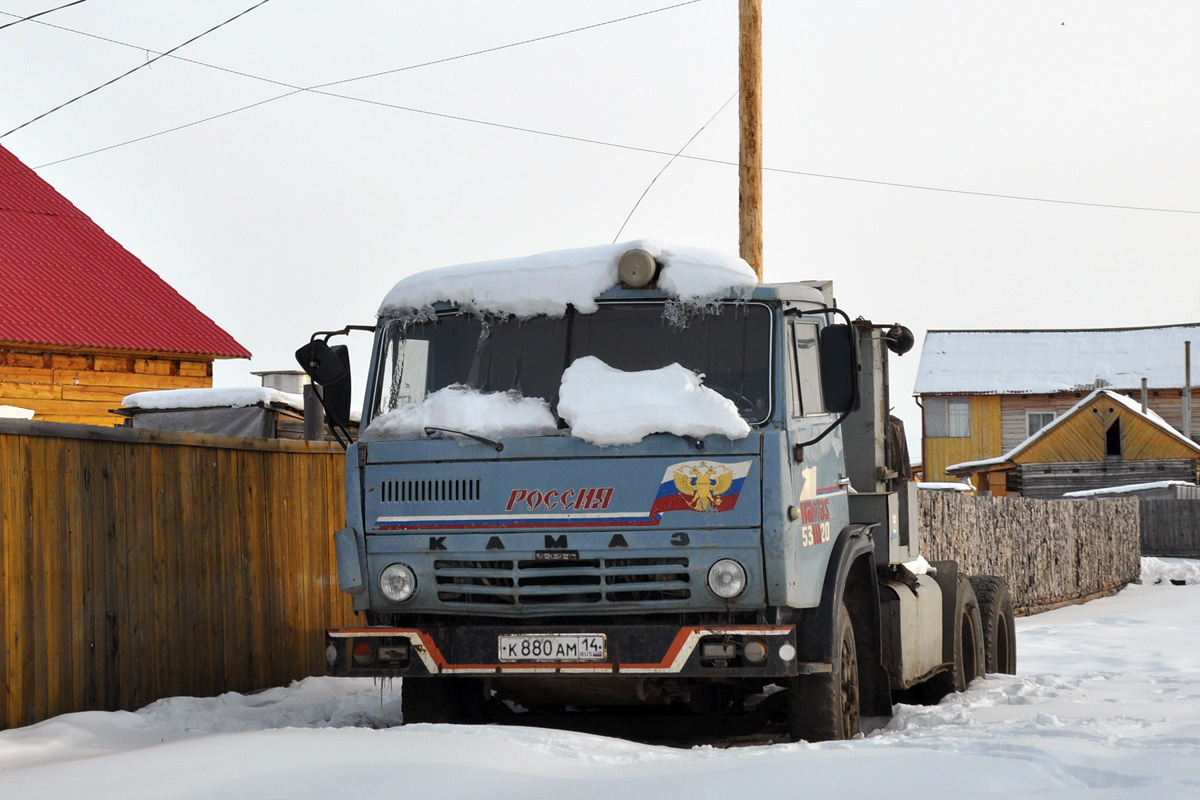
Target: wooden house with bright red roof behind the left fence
point(83, 323)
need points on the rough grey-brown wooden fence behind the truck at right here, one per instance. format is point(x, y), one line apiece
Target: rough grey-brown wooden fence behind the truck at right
point(1052, 552)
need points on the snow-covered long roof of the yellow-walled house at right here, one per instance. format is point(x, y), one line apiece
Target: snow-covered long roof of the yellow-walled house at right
point(1045, 363)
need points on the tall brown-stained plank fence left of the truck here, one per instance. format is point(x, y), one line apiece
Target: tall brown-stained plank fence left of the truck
point(137, 566)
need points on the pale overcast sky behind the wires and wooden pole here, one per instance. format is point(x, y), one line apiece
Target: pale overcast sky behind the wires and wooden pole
point(302, 214)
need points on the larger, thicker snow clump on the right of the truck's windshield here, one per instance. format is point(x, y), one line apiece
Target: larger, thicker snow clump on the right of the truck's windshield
point(609, 407)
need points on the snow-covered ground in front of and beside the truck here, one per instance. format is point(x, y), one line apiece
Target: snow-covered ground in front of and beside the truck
point(1107, 705)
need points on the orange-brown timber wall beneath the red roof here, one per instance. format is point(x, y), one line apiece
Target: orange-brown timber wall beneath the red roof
point(81, 388)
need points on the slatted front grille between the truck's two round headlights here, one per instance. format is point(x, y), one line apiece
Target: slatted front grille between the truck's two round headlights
point(584, 582)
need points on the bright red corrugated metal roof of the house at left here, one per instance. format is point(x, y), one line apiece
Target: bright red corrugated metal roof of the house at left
point(65, 282)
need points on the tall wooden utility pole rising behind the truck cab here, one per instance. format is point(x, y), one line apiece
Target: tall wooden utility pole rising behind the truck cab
point(751, 118)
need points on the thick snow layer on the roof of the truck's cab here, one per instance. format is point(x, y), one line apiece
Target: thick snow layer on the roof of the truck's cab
point(550, 282)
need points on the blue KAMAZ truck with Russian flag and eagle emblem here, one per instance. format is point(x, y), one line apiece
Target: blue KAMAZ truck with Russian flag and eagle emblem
point(767, 580)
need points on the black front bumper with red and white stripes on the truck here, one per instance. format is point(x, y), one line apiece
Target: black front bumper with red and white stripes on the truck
point(631, 651)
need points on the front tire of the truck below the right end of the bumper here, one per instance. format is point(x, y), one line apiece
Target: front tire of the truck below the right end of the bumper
point(827, 707)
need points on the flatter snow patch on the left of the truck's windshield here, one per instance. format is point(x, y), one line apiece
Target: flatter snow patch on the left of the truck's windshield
point(493, 416)
